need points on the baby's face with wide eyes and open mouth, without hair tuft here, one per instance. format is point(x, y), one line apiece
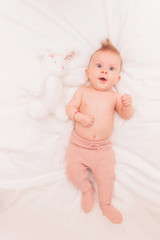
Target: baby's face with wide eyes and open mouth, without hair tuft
point(104, 69)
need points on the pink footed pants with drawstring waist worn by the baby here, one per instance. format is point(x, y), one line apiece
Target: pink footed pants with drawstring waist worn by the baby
point(97, 156)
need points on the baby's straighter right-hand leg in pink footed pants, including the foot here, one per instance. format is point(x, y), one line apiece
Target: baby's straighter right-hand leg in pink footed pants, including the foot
point(104, 176)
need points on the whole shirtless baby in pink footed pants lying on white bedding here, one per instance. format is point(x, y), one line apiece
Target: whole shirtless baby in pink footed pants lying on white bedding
point(92, 110)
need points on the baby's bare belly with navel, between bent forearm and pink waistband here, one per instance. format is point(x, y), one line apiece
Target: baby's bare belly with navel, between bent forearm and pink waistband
point(98, 131)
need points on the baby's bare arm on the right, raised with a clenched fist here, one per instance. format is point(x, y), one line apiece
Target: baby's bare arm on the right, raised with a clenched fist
point(124, 106)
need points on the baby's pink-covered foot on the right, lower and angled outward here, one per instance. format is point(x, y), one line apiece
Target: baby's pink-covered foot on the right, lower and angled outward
point(112, 214)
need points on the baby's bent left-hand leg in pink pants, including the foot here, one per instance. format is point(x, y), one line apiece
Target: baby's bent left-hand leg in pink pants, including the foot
point(77, 173)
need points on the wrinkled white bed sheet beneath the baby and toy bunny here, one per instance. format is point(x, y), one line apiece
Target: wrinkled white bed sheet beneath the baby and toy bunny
point(36, 199)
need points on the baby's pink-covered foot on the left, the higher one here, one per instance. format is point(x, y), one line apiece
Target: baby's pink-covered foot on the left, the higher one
point(87, 201)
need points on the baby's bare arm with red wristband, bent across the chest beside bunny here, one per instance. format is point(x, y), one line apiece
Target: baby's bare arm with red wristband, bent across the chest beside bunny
point(72, 110)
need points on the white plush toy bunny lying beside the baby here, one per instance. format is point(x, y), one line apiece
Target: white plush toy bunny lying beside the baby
point(47, 96)
